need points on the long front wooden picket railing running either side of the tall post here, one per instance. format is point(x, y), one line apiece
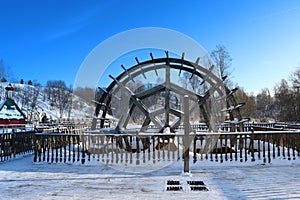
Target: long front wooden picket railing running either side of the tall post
point(260, 146)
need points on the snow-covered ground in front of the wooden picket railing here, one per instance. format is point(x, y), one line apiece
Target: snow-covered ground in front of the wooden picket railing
point(23, 179)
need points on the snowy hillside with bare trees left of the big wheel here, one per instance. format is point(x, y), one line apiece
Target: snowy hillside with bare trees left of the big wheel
point(56, 102)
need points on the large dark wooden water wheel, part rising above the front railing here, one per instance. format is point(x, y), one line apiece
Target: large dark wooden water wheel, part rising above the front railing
point(148, 96)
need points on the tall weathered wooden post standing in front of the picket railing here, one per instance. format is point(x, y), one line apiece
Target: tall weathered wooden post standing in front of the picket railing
point(186, 144)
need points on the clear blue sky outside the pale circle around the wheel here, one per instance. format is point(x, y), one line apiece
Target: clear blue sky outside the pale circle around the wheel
point(48, 40)
